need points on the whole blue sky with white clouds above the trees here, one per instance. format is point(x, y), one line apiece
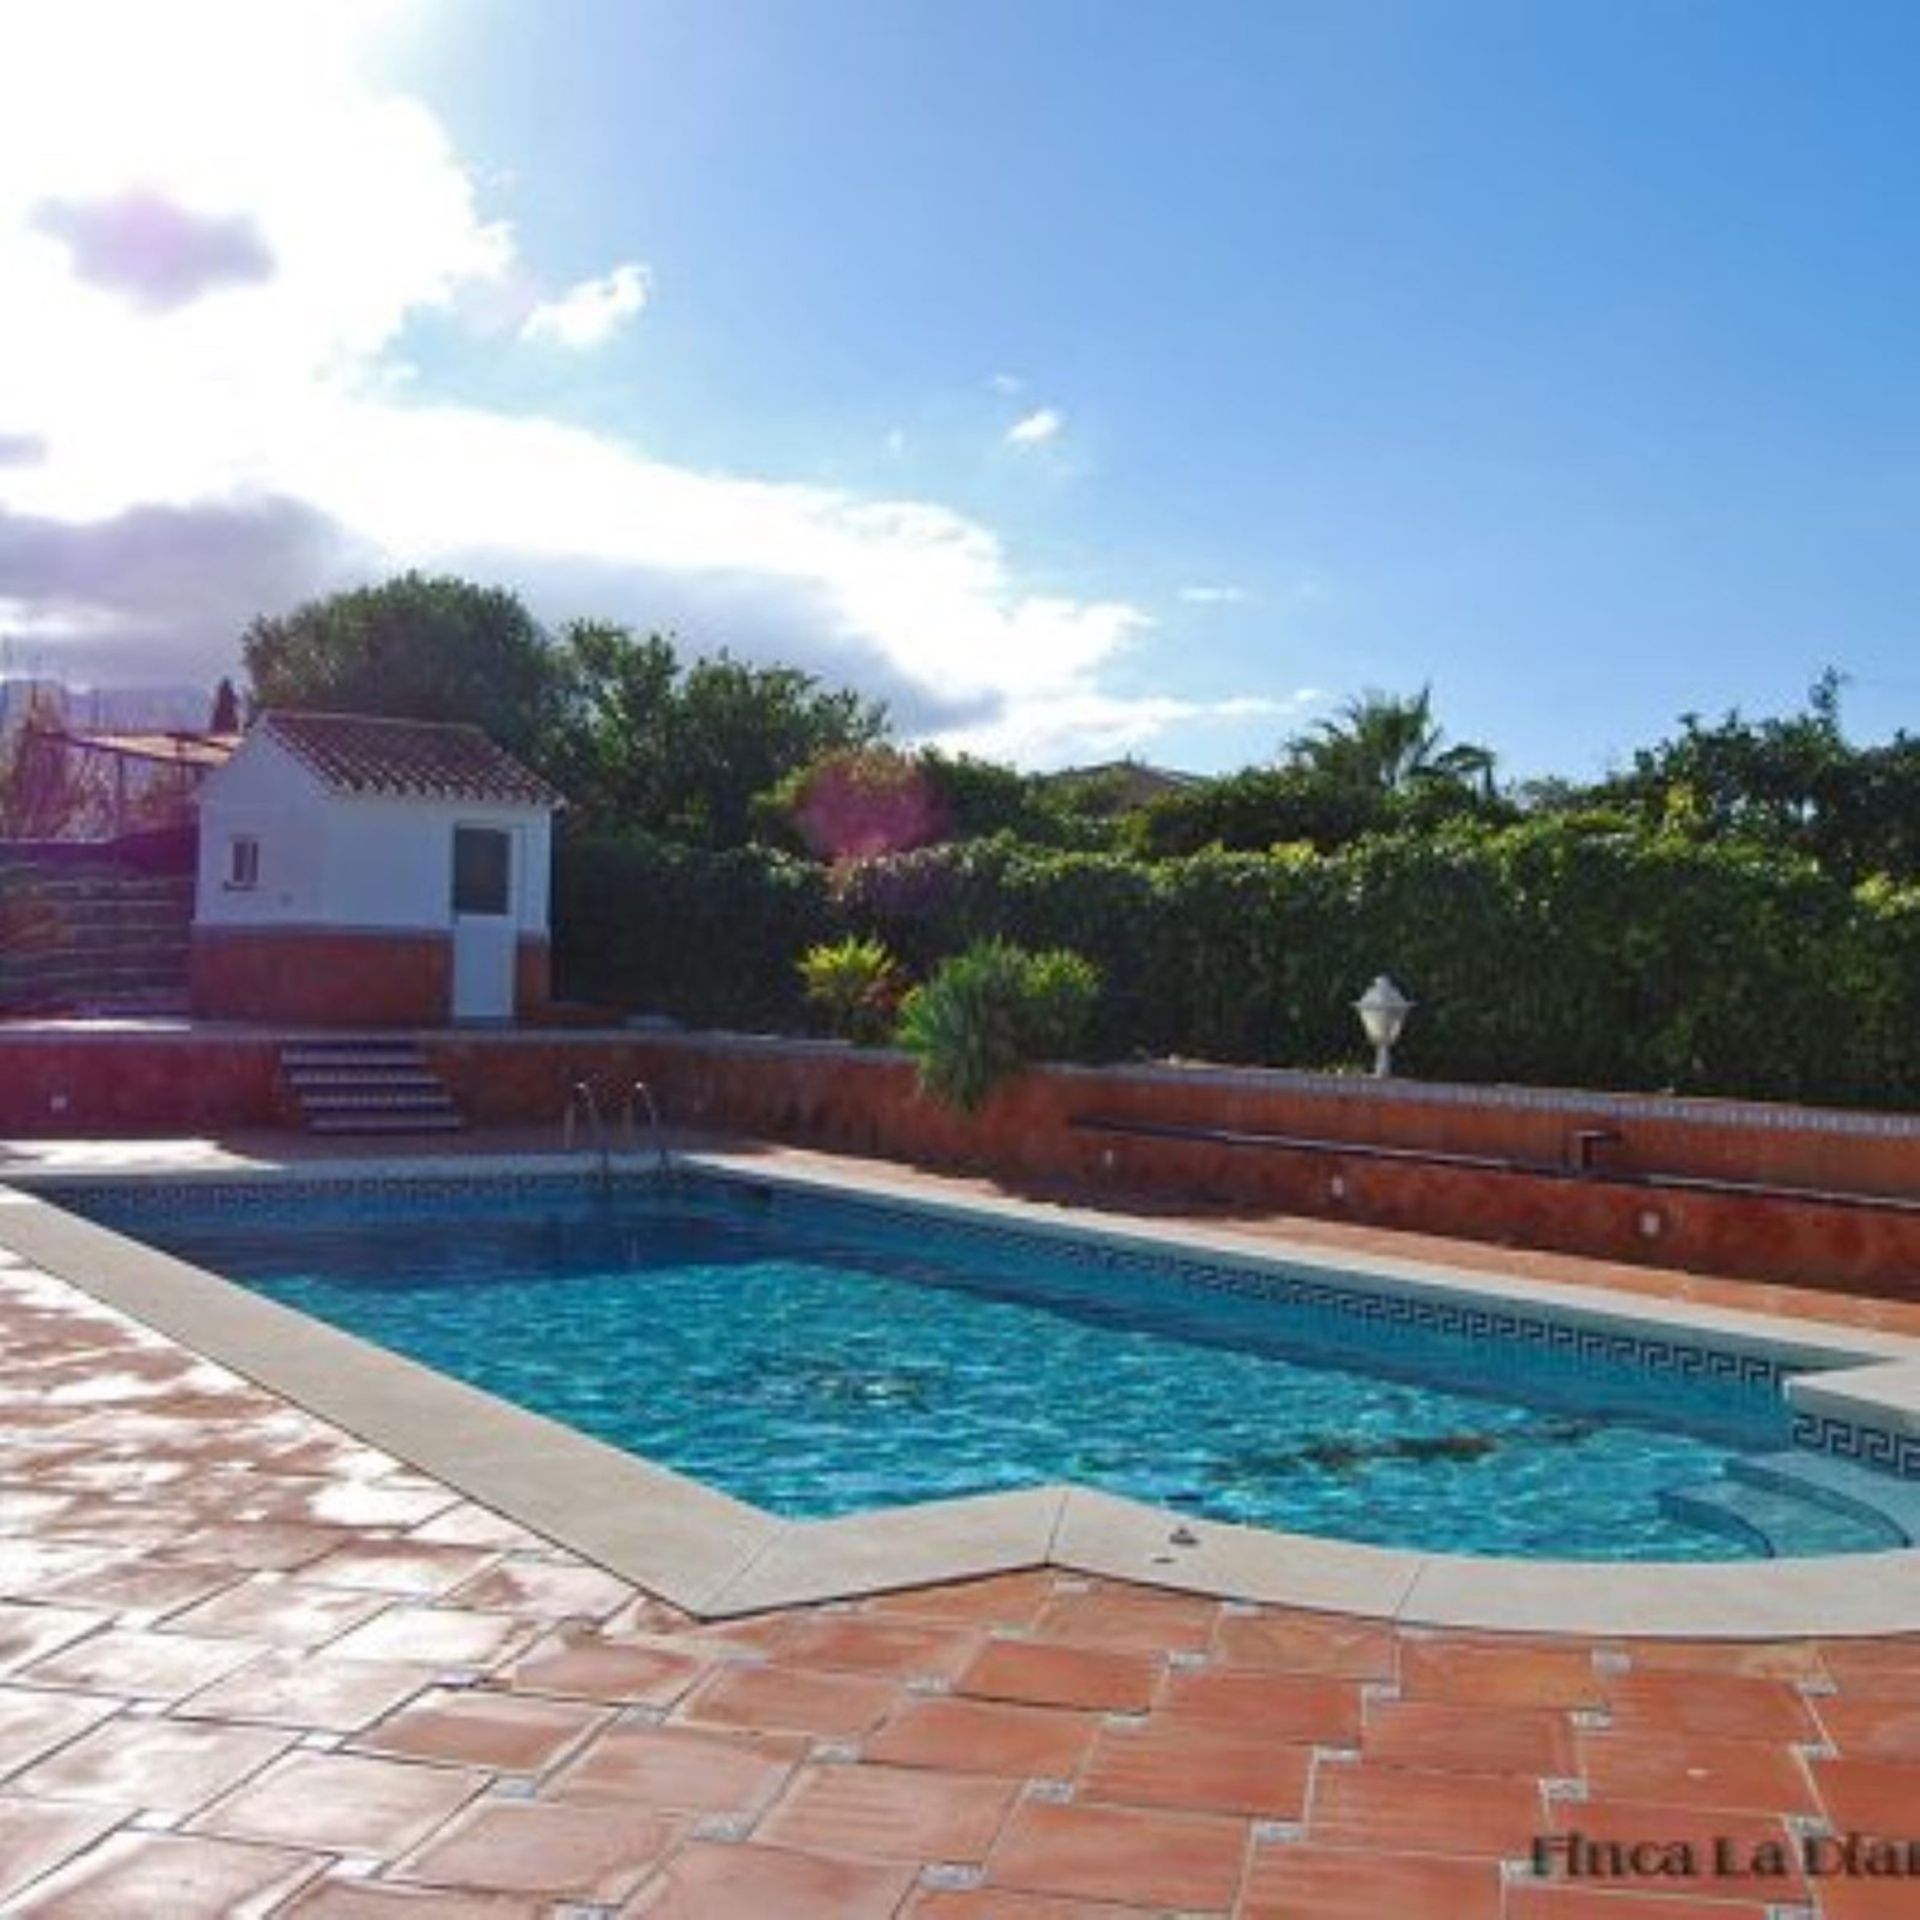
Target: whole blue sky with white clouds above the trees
point(1084, 377)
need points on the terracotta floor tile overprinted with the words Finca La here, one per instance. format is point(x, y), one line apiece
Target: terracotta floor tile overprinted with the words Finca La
point(1727, 1850)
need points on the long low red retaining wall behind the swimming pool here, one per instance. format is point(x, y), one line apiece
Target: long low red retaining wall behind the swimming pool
point(1038, 1132)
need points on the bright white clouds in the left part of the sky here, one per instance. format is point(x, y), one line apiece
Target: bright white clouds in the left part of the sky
point(256, 437)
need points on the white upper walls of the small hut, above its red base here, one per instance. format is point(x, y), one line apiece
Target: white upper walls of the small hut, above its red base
point(337, 861)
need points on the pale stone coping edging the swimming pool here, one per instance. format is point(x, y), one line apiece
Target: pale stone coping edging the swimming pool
point(721, 1558)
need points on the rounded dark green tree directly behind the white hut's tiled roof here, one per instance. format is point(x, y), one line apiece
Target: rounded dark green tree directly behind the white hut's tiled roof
point(418, 648)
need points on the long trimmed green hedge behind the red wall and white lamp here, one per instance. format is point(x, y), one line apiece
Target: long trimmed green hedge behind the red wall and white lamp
point(1547, 953)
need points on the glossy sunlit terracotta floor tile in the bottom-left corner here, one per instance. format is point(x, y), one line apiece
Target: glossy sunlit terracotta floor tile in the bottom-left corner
point(180, 1877)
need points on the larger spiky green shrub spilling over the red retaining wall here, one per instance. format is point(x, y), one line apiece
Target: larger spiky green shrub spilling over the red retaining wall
point(990, 1011)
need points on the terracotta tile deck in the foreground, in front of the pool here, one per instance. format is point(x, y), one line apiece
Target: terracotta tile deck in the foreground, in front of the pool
point(252, 1668)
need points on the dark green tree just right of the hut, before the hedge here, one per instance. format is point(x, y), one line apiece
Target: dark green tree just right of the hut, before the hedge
point(686, 750)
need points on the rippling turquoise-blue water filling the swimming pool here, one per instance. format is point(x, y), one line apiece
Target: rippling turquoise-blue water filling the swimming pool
point(817, 1358)
